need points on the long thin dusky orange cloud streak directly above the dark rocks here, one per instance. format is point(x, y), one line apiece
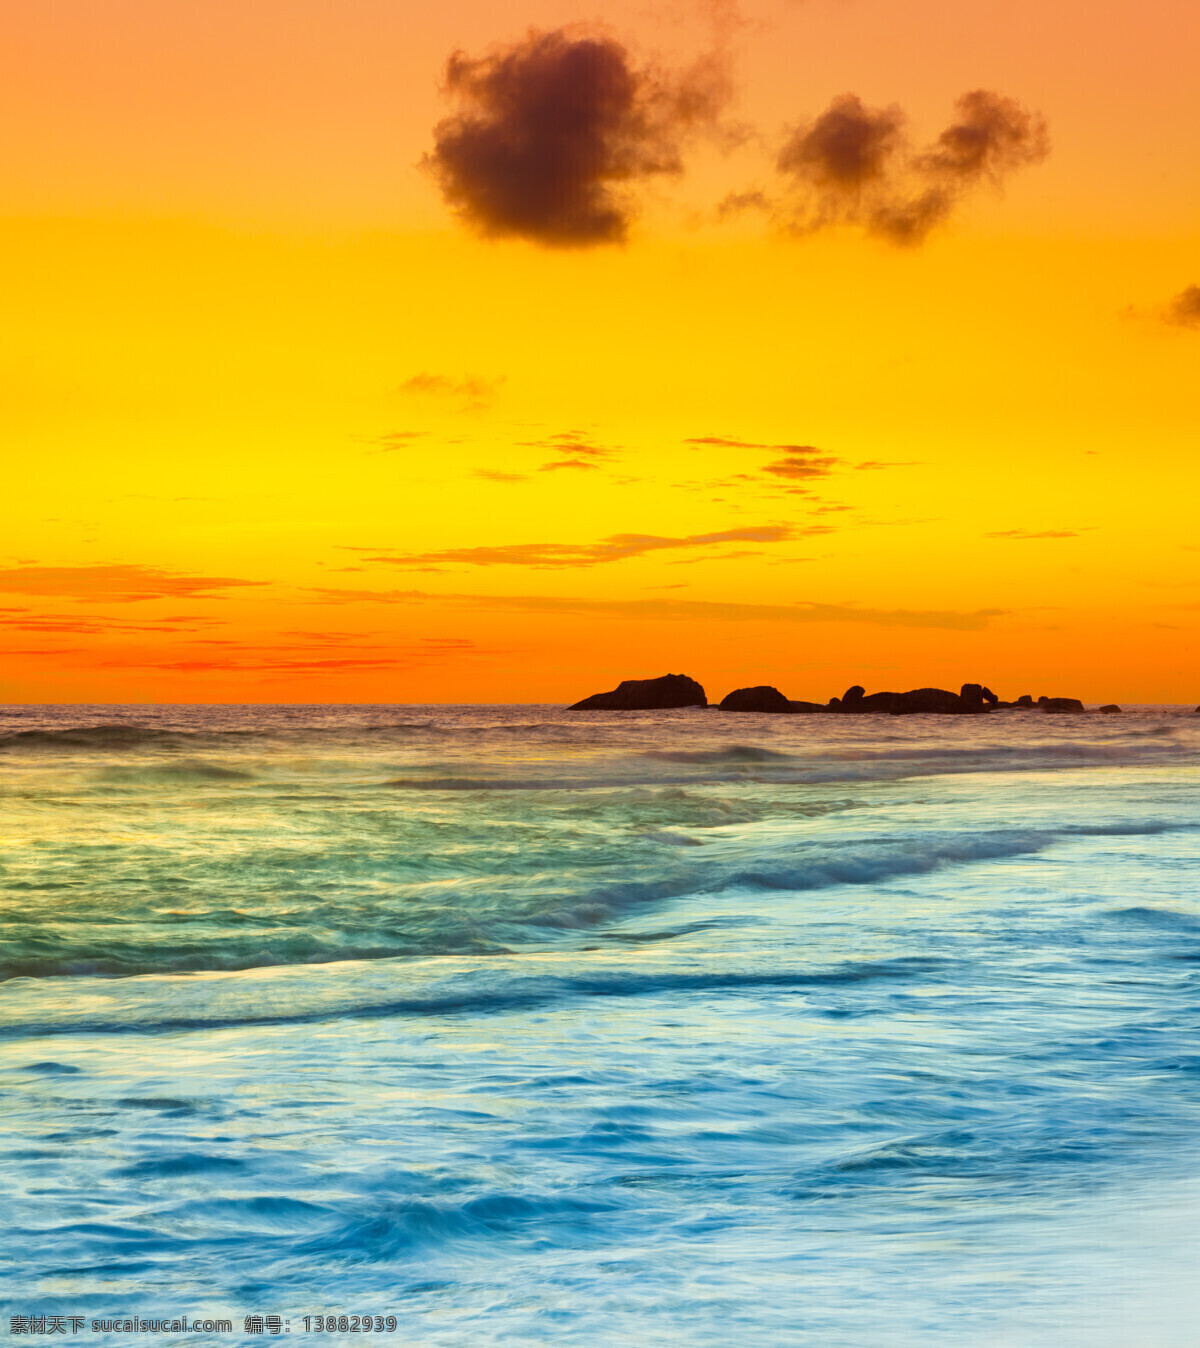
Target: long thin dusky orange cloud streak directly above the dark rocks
point(657, 610)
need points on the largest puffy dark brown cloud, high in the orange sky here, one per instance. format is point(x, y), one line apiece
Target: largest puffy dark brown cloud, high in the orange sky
point(555, 130)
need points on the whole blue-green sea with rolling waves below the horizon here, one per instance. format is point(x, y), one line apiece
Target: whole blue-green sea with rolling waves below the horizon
point(529, 1027)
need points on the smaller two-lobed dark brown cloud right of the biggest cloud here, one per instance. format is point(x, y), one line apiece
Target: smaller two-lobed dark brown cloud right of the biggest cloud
point(854, 165)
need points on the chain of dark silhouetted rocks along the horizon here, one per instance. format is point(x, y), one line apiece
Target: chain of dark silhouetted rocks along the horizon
point(678, 691)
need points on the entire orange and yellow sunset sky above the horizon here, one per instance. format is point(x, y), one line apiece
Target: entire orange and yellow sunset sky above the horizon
point(300, 406)
